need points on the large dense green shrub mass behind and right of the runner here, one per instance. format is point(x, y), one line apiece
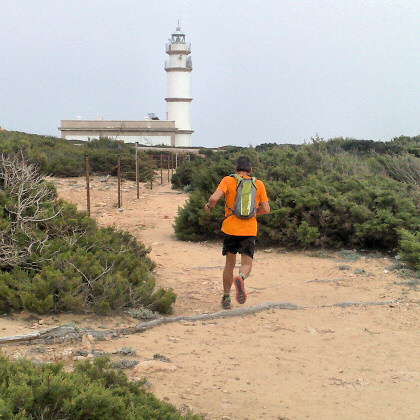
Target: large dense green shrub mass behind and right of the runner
point(333, 194)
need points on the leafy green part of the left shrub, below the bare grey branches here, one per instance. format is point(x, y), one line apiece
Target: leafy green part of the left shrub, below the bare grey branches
point(88, 269)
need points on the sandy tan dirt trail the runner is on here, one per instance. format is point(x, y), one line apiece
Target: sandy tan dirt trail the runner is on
point(319, 362)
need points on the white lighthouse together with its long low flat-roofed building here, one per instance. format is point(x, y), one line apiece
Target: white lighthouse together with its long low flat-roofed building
point(174, 131)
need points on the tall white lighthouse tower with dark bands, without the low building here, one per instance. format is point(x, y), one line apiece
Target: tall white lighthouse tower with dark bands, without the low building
point(178, 87)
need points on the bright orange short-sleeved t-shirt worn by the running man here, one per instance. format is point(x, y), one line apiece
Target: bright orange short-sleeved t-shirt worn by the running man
point(232, 225)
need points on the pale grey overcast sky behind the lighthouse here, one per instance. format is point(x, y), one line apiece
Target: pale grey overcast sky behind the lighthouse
point(278, 71)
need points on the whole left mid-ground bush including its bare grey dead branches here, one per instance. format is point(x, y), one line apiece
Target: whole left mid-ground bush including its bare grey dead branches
point(54, 258)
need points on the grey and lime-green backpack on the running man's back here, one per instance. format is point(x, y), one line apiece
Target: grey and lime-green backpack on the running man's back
point(244, 205)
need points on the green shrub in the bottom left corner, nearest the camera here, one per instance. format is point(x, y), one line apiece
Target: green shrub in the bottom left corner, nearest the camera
point(92, 391)
